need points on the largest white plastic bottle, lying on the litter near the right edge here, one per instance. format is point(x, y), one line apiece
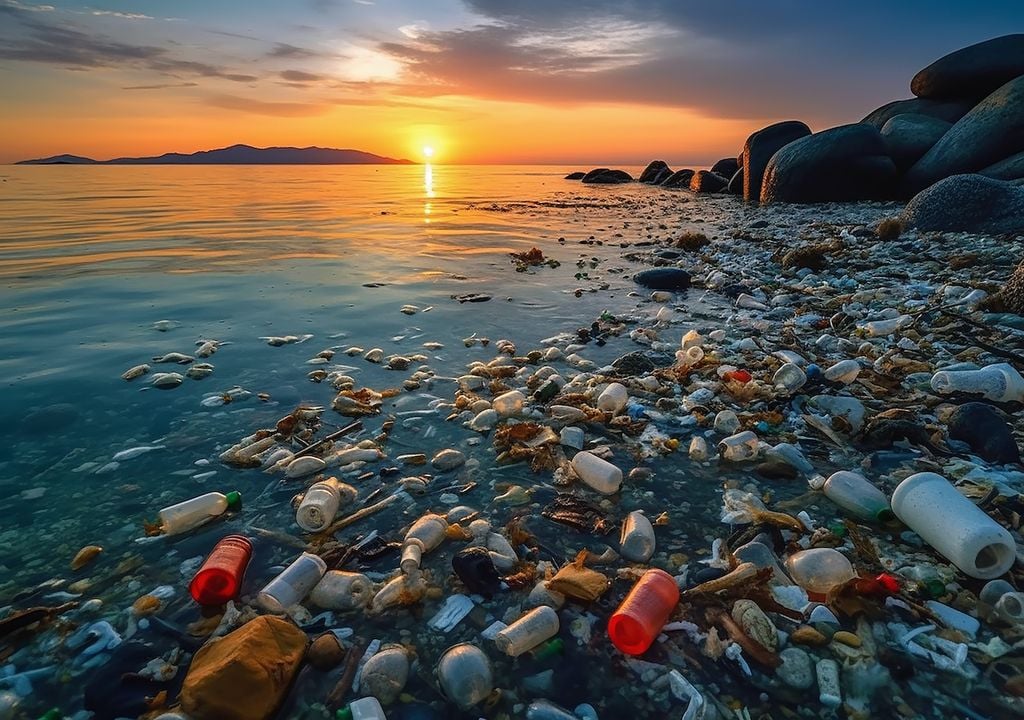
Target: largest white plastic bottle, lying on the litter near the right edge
point(930, 506)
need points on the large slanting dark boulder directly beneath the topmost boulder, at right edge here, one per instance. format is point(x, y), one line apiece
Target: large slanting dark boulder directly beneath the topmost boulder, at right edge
point(992, 132)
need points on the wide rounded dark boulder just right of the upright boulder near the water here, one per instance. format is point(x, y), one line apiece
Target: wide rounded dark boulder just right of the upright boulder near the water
point(846, 163)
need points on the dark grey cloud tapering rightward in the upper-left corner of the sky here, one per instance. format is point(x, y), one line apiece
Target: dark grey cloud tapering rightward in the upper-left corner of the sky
point(35, 38)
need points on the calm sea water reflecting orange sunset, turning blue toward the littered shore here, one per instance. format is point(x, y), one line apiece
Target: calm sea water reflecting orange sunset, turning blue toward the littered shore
point(93, 258)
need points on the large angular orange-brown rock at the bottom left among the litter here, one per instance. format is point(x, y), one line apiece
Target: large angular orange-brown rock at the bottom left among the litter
point(246, 674)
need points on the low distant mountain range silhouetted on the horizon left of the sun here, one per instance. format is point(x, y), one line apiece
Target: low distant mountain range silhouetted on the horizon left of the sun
point(237, 155)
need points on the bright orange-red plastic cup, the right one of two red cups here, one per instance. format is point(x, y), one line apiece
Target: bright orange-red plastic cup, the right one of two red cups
point(642, 616)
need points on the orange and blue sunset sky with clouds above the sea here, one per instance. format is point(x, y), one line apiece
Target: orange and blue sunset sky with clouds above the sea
point(481, 81)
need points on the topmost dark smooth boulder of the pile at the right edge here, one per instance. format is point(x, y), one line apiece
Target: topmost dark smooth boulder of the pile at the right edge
point(973, 72)
